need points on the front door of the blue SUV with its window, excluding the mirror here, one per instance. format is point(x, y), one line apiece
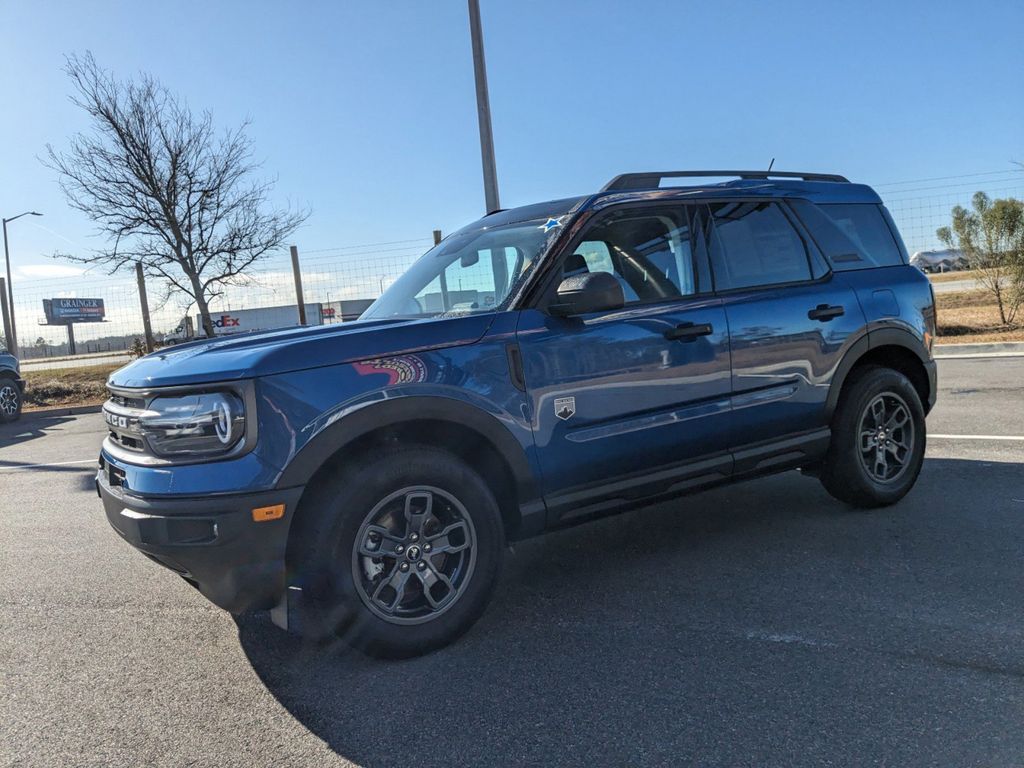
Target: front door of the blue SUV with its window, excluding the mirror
point(636, 401)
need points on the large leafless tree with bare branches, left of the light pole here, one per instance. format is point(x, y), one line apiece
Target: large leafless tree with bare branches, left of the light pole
point(166, 189)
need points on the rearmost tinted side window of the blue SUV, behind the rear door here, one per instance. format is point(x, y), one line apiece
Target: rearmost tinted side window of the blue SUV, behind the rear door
point(854, 236)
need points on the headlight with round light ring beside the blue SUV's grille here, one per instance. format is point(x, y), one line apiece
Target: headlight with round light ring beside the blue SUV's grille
point(204, 424)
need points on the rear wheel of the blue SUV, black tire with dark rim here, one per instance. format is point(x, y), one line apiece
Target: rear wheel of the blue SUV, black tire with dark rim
point(878, 440)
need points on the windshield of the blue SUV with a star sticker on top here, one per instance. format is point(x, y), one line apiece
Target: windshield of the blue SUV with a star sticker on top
point(474, 271)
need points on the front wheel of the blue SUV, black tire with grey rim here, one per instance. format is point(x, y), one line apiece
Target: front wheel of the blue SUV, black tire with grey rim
point(410, 500)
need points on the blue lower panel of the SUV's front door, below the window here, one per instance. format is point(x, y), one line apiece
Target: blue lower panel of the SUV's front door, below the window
point(642, 402)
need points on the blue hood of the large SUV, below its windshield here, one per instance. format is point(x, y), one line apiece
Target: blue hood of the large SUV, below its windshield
point(269, 353)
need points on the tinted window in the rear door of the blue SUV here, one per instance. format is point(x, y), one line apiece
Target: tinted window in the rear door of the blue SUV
point(754, 244)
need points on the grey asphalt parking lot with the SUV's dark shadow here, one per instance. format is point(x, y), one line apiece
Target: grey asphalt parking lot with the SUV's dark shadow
point(758, 625)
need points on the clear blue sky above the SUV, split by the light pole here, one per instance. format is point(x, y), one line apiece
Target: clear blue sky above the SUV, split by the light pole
point(366, 110)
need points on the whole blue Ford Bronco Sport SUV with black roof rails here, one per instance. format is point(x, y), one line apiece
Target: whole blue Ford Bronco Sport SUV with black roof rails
point(539, 368)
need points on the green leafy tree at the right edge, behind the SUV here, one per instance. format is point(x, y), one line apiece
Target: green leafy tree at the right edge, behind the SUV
point(992, 237)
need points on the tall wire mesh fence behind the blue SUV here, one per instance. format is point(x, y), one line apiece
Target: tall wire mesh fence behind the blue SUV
point(343, 279)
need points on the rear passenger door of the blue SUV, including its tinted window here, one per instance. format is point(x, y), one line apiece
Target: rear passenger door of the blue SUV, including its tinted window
point(791, 320)
